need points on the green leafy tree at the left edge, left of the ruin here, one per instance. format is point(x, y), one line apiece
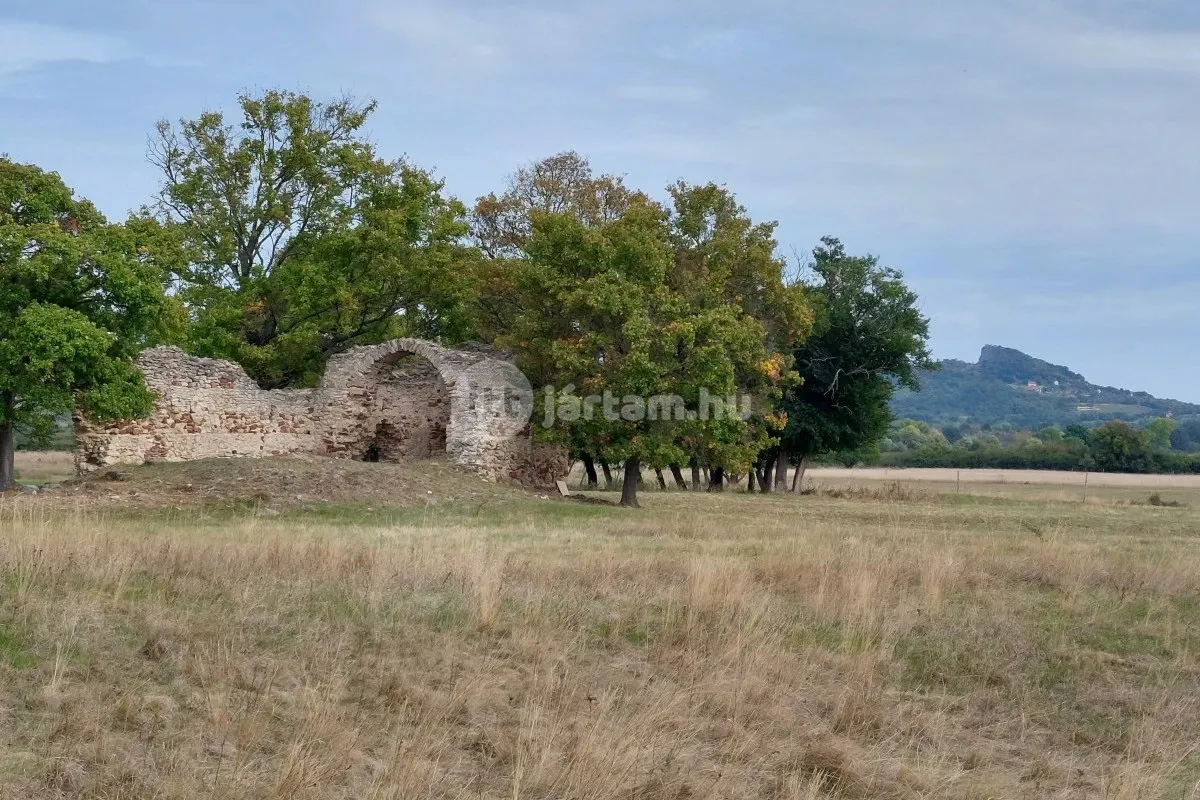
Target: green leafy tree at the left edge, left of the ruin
point(79, 298)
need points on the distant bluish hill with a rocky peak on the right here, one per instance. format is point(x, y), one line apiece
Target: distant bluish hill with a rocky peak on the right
point(1007, 386)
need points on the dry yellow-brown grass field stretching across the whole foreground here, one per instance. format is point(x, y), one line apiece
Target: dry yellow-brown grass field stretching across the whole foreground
point(874, 641)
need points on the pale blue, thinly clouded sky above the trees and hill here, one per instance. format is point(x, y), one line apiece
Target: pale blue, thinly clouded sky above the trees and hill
point(1030, 165)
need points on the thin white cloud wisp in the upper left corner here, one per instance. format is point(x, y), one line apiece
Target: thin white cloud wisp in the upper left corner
point(27, 47)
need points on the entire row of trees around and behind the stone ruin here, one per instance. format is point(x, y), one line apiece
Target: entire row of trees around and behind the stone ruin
point(283, 238)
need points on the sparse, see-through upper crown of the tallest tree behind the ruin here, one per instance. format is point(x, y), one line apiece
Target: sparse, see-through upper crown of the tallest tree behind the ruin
point(248, 194)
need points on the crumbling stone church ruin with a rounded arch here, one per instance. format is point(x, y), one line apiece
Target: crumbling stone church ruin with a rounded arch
point(398, 401)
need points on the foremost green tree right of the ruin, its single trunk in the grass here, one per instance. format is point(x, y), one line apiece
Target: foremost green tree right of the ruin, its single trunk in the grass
point(597, 314)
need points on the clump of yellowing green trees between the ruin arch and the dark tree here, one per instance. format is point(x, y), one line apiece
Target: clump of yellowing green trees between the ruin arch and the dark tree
point(599, 288)
